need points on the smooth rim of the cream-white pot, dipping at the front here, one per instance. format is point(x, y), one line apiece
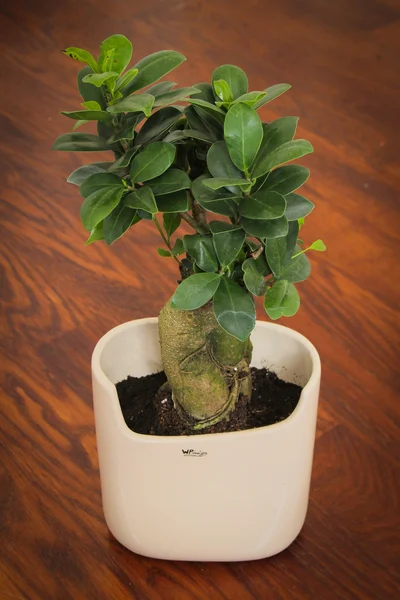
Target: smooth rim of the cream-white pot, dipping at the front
point(124, 429)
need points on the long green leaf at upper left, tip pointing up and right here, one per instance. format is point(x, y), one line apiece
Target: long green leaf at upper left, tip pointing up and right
point(153, 67)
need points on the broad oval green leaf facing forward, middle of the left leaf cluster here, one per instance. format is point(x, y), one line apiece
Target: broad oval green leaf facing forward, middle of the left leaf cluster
point(152, 161)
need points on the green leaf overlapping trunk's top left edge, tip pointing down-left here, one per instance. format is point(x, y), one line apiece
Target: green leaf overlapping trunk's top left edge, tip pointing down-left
point(195, 291)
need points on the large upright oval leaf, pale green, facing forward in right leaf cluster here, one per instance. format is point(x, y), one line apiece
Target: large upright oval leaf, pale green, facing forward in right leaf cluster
point(243, 133)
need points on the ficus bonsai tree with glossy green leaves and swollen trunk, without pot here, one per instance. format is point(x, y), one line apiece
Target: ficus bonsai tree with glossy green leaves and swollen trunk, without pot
point(216, 165)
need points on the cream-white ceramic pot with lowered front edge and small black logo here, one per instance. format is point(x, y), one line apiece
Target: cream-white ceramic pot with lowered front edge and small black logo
point(211, 497)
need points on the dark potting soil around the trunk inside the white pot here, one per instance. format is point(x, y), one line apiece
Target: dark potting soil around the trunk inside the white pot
point(147, 406)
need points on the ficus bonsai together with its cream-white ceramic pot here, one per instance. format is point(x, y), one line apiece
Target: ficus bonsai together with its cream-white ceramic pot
point(212, 163)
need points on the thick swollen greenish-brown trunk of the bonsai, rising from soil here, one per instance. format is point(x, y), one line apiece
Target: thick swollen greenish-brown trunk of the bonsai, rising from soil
point(206, 367)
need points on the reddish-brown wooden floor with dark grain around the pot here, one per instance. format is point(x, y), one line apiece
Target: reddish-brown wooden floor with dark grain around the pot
point(58, 297)
